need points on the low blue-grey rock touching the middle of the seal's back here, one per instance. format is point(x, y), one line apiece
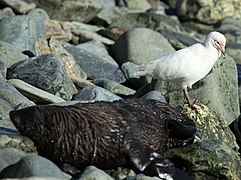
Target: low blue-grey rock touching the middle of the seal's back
point(95, 93)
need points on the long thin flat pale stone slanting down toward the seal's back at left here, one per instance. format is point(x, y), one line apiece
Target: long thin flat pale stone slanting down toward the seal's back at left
point(34, 93)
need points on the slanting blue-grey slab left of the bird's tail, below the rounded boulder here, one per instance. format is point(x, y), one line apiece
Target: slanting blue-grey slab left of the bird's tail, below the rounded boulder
point(95, 66)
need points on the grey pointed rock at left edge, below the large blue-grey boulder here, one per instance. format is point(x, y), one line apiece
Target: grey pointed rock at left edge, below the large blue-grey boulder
point(9, 54)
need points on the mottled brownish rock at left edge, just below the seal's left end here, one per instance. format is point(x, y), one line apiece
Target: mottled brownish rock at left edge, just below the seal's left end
point(19, 142)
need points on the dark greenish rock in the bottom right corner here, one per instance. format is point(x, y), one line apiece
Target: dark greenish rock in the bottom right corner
point(209, 159)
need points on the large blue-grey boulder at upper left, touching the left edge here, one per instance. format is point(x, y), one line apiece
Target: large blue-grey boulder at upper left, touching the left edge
point(22, 31)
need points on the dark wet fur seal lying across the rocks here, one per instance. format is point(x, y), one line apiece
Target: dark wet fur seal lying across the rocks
point(131, 133)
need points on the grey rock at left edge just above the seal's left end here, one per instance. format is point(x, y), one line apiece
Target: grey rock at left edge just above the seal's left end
point(10, 94)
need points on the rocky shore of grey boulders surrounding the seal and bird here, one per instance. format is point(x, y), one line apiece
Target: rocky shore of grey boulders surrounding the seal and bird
point(88, 50)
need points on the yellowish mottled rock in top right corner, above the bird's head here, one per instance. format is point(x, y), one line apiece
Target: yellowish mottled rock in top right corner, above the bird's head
point(207, 12)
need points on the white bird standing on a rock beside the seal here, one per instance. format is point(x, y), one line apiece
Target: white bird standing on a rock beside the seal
point(187, 66)
